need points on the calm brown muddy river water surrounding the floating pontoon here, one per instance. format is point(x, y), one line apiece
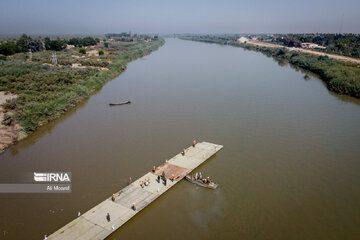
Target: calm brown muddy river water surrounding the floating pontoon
point(290, 167)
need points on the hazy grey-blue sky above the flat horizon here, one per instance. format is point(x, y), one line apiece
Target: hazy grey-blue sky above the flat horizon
point(178, 16)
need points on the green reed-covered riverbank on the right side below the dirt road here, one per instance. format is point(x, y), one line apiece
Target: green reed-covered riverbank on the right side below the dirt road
point(342, 77)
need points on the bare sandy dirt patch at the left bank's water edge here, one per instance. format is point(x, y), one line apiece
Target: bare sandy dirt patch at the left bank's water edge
point(12, 133)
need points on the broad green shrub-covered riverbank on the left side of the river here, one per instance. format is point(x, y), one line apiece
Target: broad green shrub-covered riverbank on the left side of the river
point(45, 91)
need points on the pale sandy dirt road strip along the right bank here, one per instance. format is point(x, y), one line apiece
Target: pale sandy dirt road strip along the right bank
point(332, 56)
